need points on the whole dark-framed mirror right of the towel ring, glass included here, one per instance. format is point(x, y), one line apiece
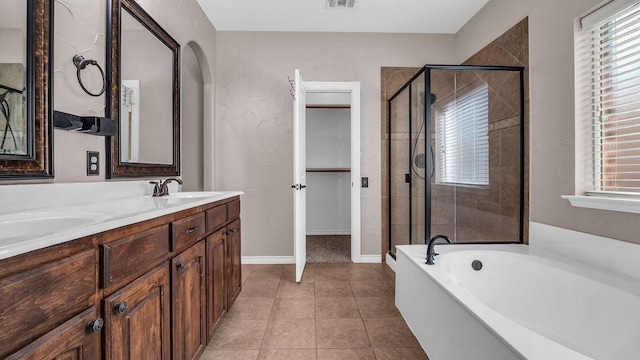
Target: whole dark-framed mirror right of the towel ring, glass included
point(144, 96)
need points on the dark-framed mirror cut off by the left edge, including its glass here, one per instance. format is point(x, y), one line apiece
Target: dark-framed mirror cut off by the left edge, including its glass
point(25, 89)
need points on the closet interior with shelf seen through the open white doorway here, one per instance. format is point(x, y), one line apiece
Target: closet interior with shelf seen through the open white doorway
point(328, 152)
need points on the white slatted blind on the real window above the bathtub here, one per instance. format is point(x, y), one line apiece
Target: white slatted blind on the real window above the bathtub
point(608, 93)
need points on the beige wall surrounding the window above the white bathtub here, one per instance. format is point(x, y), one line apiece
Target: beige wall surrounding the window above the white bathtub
point(552, 108)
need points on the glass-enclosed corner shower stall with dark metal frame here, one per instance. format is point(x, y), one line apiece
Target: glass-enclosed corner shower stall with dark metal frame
point(456, 156)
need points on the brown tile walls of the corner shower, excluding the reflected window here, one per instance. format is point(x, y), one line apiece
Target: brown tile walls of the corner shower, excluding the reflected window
point(470, 213)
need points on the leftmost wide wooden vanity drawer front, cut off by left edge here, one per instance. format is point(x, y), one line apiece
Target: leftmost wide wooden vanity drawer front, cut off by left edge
point(35, 301)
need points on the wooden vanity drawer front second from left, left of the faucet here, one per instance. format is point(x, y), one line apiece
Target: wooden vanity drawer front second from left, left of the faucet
point(129, 257)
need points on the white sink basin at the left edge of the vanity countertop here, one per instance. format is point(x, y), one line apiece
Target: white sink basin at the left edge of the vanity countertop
point(43, 223)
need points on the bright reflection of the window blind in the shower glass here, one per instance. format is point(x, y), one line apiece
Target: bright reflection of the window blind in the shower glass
point(462, 139)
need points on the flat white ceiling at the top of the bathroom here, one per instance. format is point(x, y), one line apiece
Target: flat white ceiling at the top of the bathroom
point(385, 16)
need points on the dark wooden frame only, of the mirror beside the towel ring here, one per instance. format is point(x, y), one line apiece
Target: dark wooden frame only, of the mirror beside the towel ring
point(117, 167)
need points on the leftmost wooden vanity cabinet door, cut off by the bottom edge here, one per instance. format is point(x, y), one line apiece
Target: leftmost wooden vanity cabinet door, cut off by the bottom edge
point(77, 338)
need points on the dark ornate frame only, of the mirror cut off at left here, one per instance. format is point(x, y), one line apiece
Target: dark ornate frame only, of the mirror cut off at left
point(38, 162)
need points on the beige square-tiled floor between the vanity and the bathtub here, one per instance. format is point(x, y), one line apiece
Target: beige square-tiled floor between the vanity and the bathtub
point(338, 311)
